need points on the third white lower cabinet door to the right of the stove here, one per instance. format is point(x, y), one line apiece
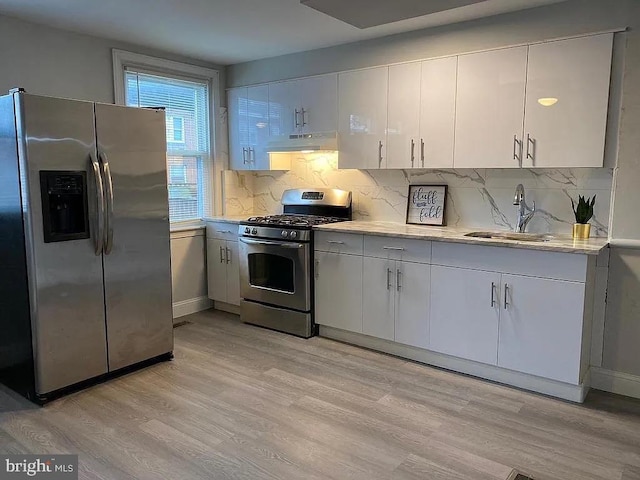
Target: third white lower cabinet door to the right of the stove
point(412, 303)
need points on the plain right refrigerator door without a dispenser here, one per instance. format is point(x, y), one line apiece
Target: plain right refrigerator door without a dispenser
point(137, 258)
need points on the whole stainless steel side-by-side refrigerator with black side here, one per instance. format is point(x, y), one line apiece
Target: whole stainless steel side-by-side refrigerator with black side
point(85, 272)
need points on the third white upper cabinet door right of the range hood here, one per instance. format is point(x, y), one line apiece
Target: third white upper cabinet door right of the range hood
point(437, 112)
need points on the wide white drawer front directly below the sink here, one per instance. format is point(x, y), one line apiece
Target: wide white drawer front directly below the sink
point(519, 261)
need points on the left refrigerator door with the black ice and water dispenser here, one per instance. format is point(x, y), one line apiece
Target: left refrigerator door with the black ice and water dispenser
point(61, 204)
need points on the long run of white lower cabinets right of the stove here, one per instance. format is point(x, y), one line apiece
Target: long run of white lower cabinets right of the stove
point(525, 311)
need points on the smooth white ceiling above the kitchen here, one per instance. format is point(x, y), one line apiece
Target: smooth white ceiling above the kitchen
point(234, 31)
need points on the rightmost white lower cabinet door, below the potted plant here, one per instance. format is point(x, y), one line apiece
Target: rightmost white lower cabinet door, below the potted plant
point(541, 327)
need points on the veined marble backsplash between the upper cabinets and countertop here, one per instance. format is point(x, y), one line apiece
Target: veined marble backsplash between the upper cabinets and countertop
point(476, 198)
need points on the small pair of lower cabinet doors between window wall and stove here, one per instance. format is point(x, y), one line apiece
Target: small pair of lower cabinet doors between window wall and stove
point(223, 271)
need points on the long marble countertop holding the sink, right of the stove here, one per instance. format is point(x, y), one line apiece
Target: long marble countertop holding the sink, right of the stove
point(557, 243)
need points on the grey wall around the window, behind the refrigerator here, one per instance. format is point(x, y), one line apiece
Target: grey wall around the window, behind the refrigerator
point(48, 61)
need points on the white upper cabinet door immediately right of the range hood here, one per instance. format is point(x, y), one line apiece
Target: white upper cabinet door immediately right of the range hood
point(362, 118)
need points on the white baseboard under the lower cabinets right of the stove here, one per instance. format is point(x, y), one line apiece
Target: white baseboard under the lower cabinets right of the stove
point(566, 391)
